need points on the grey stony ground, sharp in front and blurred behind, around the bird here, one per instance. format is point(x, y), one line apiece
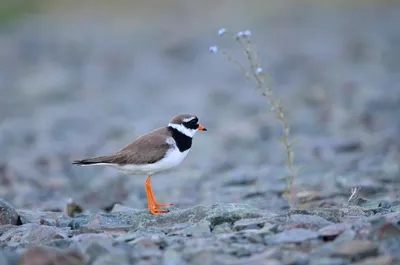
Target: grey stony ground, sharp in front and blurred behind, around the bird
point(80, 81)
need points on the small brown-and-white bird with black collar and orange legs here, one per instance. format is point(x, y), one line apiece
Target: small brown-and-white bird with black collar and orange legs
point(157, 151)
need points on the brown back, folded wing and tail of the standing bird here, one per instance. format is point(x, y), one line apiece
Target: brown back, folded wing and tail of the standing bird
point(146, 149)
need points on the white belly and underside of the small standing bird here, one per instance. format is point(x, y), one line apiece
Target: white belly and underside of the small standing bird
point(172, 159)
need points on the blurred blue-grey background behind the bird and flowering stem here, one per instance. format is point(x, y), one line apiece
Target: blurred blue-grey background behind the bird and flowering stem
point(84, 78)
